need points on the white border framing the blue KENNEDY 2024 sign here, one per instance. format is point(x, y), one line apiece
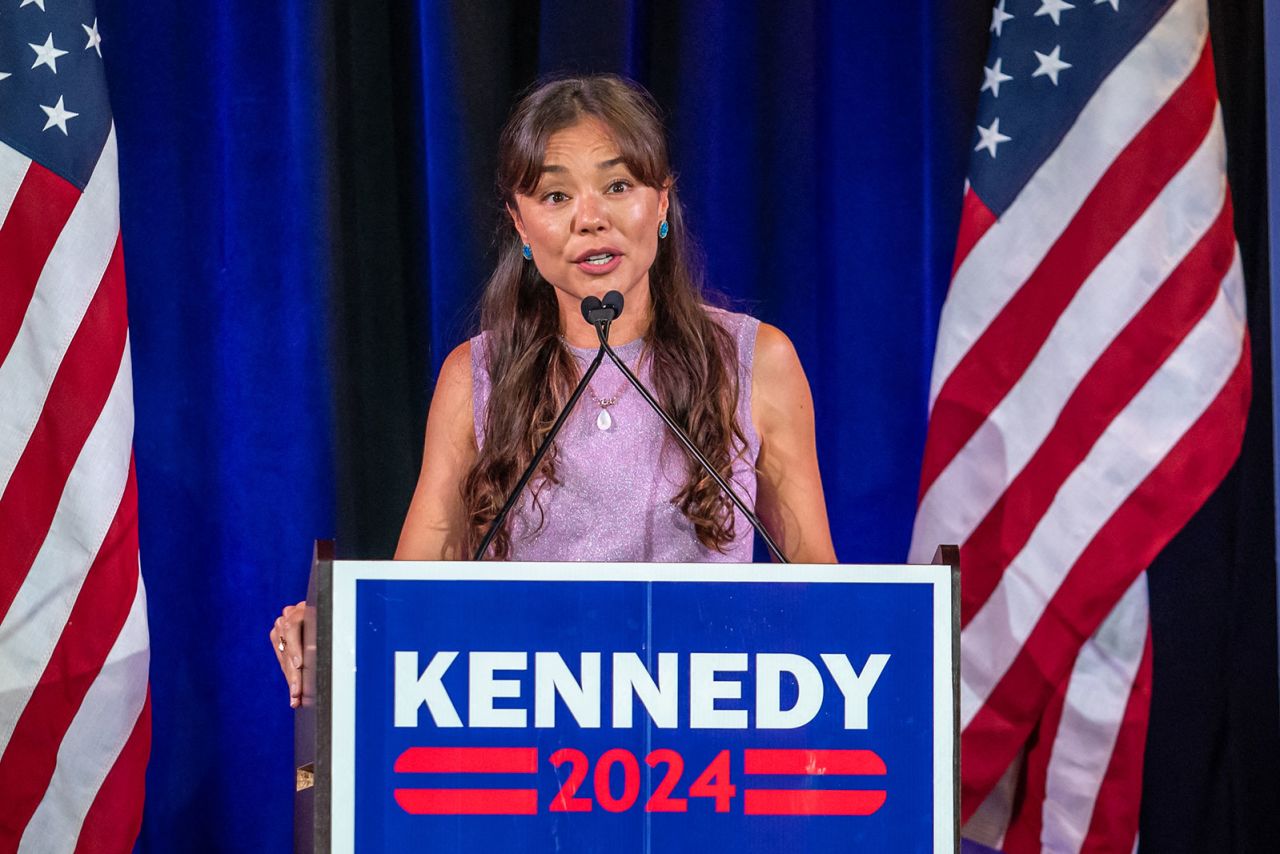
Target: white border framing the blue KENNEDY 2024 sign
point(346, 574)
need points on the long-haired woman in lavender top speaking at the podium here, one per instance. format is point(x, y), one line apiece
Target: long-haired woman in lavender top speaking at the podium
point(592, 208)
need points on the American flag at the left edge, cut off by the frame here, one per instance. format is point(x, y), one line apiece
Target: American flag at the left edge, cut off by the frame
point(75, 701)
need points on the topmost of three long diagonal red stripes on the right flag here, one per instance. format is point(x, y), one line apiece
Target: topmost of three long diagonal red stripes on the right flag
point(1008, 345)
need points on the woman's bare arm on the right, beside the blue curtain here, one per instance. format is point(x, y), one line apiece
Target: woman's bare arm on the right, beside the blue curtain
point(789, 494)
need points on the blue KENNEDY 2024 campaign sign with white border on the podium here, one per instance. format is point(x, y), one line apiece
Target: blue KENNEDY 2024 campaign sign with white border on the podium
point(614, 709)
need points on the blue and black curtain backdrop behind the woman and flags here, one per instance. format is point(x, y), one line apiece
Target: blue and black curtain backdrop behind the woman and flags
point(309, 212)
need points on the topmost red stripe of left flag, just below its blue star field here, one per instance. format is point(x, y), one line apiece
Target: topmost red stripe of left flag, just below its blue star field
point(40, 209)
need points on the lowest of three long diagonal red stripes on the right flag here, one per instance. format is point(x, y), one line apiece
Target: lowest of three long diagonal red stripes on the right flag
point(1123, 549)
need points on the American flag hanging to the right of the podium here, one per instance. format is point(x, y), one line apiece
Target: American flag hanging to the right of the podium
point(1090, 391)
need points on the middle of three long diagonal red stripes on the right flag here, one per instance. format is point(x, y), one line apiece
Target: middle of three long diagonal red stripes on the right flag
point(1109, 386)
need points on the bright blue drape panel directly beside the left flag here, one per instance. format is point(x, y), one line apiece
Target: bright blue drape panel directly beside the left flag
point(223, 207)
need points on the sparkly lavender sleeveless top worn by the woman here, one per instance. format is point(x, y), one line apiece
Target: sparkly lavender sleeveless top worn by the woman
point(625, 512)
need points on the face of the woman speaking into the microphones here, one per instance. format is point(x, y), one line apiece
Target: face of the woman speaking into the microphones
point(591, 225)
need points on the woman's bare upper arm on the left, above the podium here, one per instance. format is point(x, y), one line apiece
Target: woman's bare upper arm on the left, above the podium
point(436, 524)
